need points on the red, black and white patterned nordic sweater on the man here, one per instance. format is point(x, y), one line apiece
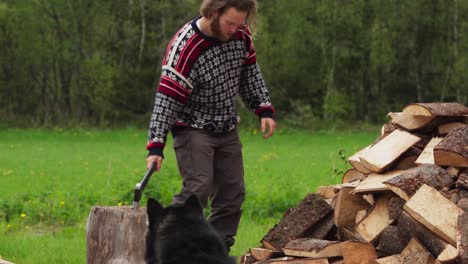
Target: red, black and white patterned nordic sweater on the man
point(200, 80)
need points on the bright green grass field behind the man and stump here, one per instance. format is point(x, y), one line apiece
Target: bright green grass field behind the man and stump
point(50, 179)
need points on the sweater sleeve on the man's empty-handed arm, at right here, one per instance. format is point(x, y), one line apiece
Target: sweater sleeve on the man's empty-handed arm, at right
point(253, 89)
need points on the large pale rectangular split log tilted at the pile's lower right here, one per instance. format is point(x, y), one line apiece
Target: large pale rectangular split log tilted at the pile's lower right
point(435, 212)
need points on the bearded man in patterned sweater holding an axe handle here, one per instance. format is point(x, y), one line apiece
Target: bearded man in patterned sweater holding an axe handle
point(208, 62)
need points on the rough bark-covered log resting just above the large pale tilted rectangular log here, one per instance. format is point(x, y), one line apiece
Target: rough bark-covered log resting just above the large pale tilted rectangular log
point(406, 184)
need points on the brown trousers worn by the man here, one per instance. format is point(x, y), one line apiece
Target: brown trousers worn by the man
point(211, 167)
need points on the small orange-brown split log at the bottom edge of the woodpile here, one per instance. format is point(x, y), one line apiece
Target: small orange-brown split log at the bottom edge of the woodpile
point(357, 252)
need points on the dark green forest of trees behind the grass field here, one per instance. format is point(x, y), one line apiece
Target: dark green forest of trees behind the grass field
point(97, 63)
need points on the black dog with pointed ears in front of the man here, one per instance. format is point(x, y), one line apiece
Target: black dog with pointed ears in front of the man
point(179, 234)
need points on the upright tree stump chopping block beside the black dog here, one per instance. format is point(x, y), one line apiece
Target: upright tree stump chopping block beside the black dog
point(116, 235)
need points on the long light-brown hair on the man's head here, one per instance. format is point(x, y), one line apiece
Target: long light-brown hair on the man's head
point(209, 7)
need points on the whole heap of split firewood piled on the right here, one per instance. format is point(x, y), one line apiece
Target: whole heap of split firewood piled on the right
point(404, 201)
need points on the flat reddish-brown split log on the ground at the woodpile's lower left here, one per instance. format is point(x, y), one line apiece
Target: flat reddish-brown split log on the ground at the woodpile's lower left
point(312, 248)
